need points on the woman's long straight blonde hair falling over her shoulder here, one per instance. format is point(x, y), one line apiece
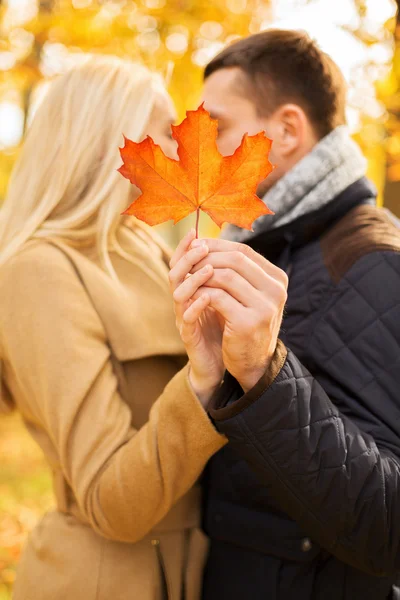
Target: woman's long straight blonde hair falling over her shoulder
point(65, 183)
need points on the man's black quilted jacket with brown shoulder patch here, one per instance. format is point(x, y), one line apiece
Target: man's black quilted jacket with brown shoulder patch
point(304, 502)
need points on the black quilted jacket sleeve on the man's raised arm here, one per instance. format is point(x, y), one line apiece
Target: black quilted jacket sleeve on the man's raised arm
point(328, 450)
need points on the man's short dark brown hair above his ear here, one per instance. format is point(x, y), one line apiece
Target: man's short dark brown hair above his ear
point(281, 66)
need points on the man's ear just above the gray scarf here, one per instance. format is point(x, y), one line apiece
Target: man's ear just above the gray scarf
point(293, 129)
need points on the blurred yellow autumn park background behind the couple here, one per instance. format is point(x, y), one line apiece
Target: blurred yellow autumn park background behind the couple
point(41, 38)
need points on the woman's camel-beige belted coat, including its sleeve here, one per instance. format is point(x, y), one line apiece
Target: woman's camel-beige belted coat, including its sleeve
point(96, 371)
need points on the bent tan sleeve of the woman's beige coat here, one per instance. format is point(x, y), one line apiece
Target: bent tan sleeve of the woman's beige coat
point(124, 480)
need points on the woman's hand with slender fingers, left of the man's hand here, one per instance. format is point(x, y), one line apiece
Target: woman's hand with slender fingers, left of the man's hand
point(199, 325)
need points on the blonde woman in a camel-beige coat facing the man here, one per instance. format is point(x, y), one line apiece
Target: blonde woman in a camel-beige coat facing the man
point(91, 356)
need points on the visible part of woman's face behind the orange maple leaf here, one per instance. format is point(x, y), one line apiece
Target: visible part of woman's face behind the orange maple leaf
point(159, 126)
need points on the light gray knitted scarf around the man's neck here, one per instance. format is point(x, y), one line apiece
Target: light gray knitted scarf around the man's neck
point(333, 164)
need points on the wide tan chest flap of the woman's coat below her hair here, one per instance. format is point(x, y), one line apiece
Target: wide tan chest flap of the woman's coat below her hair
point(137, 316)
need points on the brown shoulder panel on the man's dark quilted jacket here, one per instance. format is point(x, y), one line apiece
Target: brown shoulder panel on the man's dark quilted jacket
point(363, 230)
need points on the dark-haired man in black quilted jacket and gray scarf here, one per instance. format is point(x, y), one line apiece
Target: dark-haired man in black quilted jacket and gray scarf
point(304, 501)
